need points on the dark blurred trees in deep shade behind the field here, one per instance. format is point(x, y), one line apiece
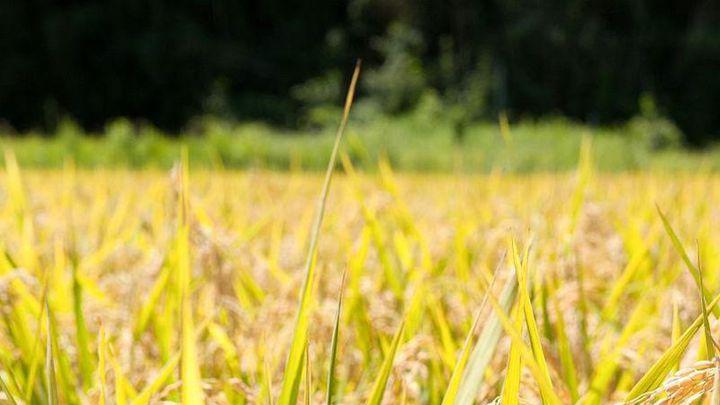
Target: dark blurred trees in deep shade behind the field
point(285, 61)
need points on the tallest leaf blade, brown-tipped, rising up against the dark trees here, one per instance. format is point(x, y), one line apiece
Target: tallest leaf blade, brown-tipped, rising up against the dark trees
point(293, 367)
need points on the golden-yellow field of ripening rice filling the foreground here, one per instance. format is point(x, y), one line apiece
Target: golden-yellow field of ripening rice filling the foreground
point(136, 287)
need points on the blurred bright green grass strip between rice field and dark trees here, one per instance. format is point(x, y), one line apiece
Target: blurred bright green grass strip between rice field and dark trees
point(412, 142)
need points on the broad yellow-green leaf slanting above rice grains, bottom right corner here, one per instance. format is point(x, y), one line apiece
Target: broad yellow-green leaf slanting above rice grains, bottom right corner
point(664, 365)
